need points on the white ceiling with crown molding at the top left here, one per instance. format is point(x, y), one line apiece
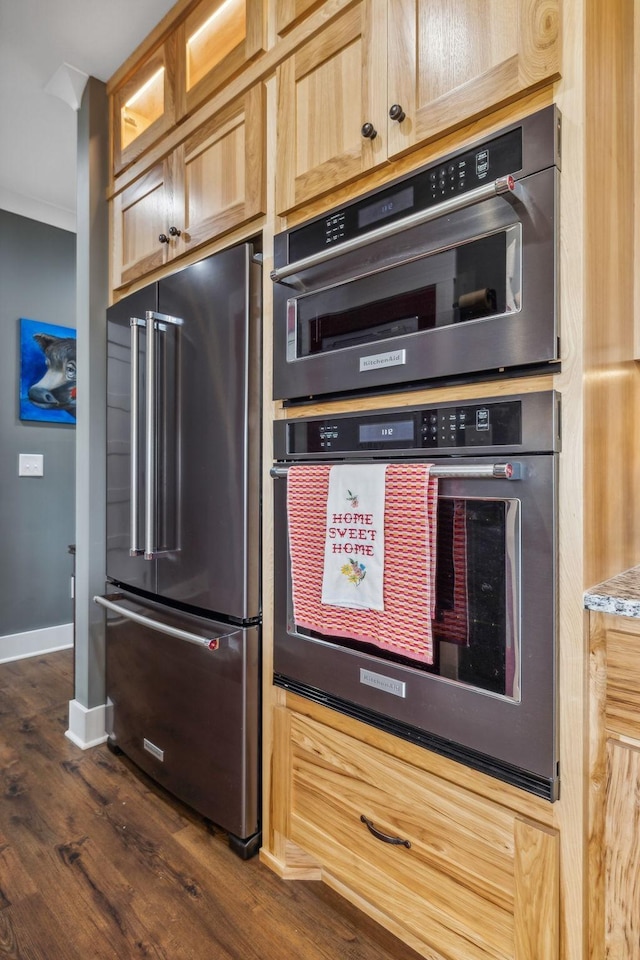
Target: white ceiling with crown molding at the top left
point(38, 129)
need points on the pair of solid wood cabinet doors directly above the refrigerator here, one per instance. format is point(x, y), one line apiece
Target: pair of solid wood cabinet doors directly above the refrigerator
point(207, 186)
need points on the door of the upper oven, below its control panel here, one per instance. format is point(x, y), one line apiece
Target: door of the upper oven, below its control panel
point(463, 294)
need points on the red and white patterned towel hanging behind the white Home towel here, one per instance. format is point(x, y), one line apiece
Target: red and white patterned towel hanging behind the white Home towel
point(404, 625)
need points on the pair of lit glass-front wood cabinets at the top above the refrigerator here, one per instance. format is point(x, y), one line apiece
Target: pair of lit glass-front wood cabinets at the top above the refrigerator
point(202, 52)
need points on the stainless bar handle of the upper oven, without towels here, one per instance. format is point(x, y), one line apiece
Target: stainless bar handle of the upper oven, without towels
point(503, 185)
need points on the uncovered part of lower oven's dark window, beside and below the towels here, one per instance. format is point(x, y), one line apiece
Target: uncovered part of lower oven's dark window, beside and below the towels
point(476, 626)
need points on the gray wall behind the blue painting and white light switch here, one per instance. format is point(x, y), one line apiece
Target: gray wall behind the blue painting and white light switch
point(37, 515)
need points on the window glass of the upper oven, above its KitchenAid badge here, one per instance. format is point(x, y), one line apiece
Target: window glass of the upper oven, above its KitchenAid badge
point(472, 281)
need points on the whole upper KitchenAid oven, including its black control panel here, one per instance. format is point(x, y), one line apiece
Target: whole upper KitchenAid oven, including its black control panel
point(448, 272)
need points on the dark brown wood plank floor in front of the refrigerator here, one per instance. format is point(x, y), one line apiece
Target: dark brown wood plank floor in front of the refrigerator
point(98, 862)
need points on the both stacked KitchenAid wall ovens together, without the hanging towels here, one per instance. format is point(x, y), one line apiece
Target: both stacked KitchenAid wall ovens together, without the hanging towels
point(443, 277)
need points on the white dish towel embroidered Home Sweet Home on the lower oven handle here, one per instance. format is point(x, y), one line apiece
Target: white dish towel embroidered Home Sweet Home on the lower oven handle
point(354, 542)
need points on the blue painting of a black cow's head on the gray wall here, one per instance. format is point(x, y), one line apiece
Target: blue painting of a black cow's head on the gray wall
point(47, 372)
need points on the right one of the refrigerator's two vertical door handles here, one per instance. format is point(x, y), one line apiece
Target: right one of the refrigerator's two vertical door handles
point(154, 321)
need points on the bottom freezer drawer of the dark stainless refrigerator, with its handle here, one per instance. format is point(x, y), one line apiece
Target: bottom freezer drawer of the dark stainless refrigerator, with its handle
point(187, 712)
